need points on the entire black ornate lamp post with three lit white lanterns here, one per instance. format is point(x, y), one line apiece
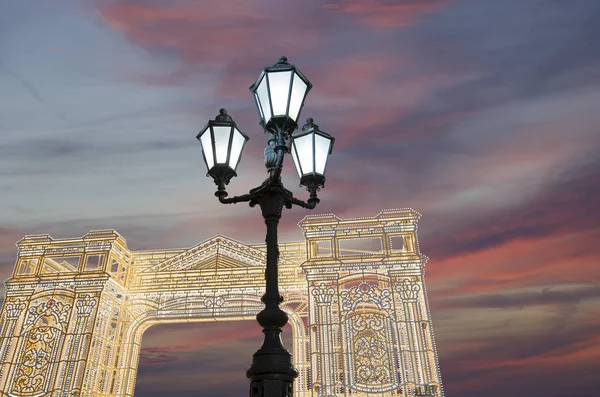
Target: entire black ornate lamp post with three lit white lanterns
point(279, 94)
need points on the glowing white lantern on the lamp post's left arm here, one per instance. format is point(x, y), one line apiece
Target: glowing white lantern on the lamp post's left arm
point(222, 144)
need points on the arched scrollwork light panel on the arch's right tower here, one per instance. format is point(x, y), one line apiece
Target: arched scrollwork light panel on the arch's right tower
point(368, 333)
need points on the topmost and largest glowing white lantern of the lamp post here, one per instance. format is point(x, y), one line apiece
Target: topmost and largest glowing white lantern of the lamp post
point(279, 94)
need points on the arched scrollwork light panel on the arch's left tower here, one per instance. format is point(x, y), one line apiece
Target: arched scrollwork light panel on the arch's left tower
point(43, 339)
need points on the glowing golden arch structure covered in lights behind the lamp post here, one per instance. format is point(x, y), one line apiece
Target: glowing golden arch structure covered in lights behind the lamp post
point(76, 309)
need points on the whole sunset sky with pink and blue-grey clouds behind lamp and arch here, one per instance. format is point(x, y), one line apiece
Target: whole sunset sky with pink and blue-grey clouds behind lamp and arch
point(480, 114)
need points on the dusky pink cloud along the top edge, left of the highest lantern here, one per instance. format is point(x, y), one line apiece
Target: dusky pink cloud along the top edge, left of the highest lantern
point(211, 36)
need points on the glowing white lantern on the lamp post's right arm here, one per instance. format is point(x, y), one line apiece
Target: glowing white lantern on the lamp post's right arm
point(310, 149)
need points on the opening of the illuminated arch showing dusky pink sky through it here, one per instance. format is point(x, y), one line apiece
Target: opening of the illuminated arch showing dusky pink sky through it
point(208, 355)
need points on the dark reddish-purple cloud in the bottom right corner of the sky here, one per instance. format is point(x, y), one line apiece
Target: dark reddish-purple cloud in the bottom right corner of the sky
point(523, 361)
